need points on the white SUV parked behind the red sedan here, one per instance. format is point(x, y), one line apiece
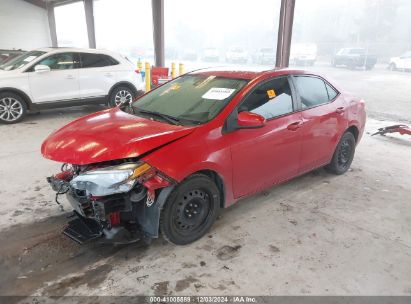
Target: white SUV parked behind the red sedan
point(62, 77)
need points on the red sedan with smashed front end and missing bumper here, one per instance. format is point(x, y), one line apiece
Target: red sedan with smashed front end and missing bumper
point(169, 161)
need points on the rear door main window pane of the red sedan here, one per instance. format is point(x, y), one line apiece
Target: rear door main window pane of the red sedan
point(312, 91)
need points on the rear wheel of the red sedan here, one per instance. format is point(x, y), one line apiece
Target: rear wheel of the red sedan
point(343, 155)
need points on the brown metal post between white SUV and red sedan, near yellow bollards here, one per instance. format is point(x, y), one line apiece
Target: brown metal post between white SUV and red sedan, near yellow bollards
point(158, 31)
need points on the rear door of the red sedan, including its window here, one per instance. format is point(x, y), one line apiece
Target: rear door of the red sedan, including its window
point(323, 115)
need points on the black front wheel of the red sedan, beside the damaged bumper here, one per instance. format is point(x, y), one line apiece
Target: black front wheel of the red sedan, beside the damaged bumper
point(190, 210)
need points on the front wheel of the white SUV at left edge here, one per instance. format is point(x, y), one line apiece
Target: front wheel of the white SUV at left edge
point(12, 108)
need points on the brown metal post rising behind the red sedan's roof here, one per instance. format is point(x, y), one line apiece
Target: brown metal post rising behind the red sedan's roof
point(285, 29)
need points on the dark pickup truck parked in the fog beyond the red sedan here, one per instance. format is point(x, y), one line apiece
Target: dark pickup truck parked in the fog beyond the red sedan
point(354, 58)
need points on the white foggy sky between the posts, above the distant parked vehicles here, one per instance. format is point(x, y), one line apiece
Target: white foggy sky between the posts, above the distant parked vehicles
point(383, 27)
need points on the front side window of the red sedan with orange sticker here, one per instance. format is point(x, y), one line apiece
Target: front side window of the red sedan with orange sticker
point(270, 99)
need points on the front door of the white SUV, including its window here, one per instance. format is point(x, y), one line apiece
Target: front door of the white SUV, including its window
point(60, 83)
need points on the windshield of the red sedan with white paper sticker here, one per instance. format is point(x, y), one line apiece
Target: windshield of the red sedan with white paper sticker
point(190, 99)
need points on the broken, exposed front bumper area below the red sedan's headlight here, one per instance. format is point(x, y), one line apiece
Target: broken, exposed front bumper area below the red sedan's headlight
point(136, 216)
